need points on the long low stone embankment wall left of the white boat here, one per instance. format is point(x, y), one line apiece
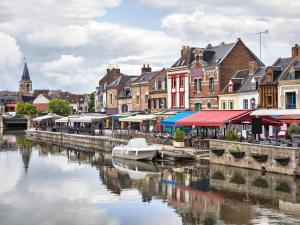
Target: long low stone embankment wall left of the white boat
point(92, 142)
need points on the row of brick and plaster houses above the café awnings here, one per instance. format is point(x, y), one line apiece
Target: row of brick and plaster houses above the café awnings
point(226, 76)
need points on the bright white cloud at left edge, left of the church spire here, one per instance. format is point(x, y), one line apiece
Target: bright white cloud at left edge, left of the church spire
point(10, 54)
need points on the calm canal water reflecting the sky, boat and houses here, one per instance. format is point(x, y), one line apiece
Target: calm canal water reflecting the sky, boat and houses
point(49, 184)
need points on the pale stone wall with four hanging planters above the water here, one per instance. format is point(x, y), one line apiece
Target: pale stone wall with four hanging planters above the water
point(249, 162)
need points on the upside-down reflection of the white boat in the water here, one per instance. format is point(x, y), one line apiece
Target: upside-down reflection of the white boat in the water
point(135, 169)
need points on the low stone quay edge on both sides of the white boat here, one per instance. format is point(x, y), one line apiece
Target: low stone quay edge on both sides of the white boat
point(106, 143)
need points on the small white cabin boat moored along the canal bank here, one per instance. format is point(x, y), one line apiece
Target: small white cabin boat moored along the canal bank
point(136, 149)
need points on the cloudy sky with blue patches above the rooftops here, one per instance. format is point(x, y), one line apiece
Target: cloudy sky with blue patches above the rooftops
point(68, 44)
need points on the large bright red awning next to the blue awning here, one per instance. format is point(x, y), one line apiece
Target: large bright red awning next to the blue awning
point(212, 118)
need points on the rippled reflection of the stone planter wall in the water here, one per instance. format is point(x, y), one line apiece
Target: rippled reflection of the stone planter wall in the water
point(270, 186)
